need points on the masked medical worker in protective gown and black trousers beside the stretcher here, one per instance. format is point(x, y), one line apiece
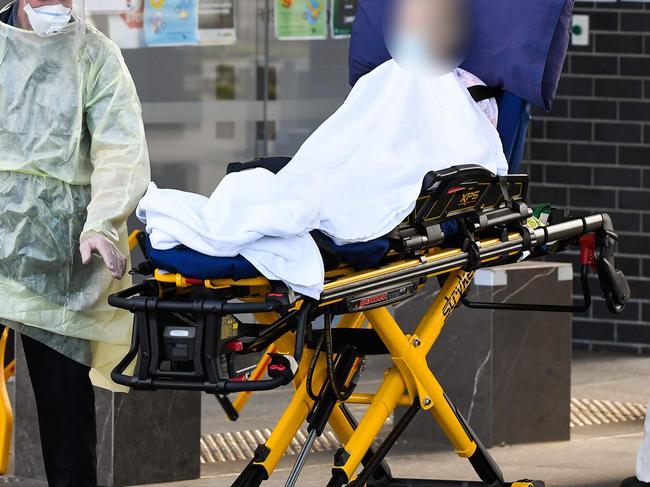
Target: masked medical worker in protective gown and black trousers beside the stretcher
point(73, 164)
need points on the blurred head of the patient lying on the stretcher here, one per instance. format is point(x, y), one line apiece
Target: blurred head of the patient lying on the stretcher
point(429, 37)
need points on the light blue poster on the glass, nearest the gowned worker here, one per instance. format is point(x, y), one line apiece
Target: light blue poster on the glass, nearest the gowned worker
point(171, 22)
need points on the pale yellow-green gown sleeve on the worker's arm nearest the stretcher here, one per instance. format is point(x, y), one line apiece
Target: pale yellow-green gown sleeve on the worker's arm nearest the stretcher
point(118, 148)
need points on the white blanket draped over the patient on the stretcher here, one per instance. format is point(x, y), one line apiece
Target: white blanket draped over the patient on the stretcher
point(355, 178)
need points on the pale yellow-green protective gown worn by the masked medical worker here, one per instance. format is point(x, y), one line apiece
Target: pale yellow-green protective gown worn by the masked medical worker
point(73, 161)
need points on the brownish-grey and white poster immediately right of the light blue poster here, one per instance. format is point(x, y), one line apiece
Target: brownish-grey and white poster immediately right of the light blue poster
point(217, 22)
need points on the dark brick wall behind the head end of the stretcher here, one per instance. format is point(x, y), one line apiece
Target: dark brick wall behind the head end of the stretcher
point(592, 153)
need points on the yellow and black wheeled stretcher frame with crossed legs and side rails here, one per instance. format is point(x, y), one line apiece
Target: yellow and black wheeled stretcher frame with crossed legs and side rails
point(494, 231)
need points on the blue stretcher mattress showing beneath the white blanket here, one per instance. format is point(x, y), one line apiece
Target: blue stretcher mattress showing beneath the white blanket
point(195, 265)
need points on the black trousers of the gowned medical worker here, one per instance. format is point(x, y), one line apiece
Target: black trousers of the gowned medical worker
point(65, 402)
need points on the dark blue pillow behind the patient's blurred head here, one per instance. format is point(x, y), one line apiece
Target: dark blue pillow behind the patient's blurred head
point(519, 46)
